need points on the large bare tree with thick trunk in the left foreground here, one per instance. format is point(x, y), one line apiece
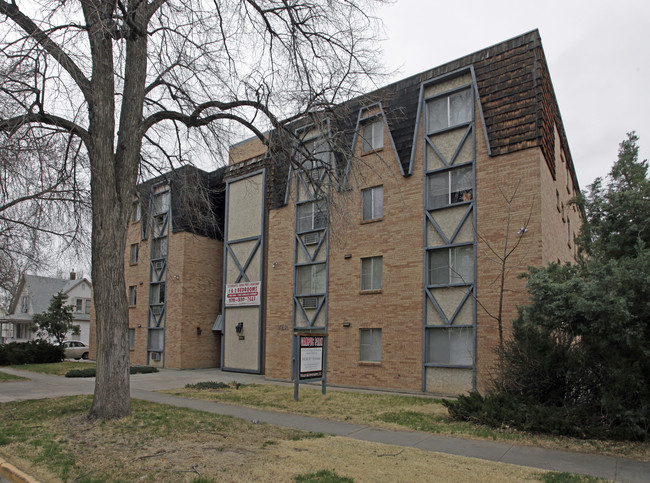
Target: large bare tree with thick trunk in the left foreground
point(138, 81)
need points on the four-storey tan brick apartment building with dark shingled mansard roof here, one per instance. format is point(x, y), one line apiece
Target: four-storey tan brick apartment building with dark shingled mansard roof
point(385, 238)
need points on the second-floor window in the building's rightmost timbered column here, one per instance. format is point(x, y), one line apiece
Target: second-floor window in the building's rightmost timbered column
point(451, 265)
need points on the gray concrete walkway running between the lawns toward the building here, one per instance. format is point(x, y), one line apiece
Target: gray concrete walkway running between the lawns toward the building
point(143, 386)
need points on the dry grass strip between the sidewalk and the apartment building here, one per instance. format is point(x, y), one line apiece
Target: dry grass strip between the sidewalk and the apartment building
point(397, 412)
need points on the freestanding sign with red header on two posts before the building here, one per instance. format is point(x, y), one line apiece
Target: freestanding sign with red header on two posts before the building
point(310, 363)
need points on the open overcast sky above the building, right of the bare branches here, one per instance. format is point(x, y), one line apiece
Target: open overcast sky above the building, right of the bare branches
point(598, 54)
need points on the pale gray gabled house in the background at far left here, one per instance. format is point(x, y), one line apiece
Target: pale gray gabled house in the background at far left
point(33, 297)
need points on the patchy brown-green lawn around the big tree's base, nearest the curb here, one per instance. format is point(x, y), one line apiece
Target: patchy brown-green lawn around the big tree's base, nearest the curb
point(53, 440)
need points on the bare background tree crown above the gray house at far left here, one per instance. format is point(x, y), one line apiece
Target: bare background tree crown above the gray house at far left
point(43, 201)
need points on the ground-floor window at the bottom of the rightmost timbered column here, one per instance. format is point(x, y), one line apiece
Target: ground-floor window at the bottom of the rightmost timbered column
point(451, 346)
